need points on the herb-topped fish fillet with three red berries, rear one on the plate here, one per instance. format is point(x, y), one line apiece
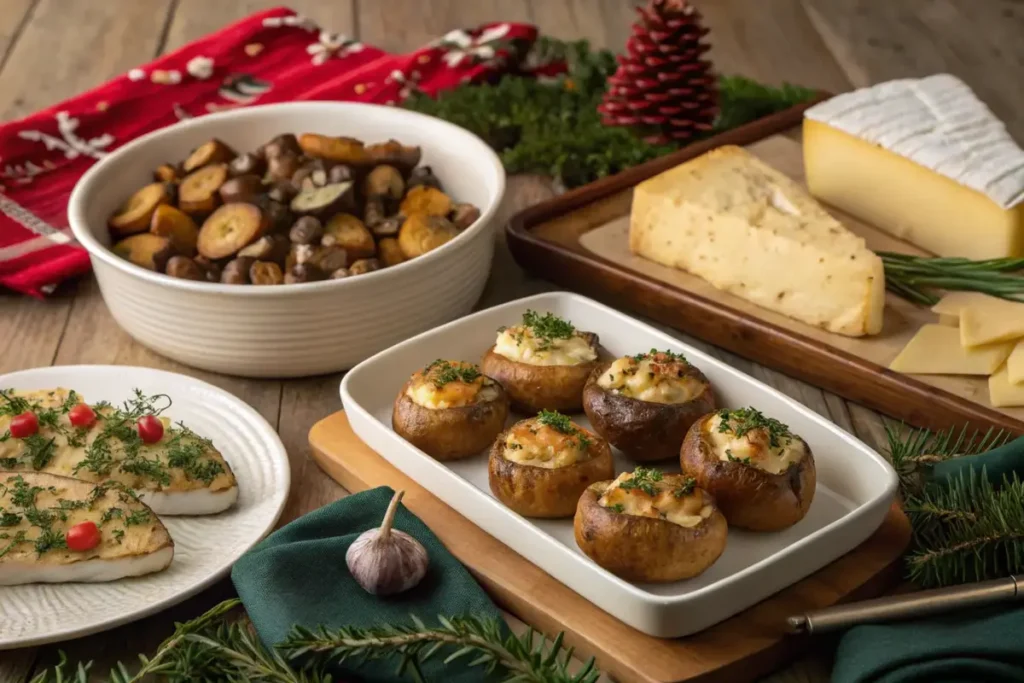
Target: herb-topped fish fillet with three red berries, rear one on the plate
point(173, 469)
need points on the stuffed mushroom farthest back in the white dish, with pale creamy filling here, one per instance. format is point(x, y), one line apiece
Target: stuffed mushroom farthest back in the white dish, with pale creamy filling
point(543, 363)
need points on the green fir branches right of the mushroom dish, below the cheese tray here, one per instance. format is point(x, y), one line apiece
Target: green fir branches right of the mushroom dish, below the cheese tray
point(966, 530)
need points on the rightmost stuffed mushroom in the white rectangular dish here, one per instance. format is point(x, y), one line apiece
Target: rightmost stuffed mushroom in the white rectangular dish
point(761, 474)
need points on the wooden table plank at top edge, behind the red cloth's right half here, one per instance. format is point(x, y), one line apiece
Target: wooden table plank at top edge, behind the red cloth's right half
point(406, 25)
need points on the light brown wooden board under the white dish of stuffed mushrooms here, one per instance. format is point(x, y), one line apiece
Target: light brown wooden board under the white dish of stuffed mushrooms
point(740, 650)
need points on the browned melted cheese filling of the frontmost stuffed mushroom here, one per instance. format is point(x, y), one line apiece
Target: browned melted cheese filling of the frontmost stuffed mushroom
point(689, 510)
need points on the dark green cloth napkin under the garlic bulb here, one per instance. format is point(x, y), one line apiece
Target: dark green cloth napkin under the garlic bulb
point(298, 576)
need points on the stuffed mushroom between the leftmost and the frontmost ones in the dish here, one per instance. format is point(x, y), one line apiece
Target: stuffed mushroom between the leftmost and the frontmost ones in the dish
point(541, 466)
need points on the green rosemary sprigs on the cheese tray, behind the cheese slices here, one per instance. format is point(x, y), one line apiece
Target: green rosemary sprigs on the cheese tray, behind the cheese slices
point(917, 278)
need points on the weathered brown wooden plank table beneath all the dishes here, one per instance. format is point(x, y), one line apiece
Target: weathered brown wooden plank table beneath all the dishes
point(53, 50)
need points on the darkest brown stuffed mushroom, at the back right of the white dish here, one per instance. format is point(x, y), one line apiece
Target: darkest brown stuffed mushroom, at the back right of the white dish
point(645, 405)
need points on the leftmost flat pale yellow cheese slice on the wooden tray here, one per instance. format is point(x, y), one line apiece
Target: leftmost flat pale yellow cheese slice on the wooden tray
point(936, 351)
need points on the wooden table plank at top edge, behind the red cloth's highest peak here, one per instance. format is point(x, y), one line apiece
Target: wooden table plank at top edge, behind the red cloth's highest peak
point(195, 19)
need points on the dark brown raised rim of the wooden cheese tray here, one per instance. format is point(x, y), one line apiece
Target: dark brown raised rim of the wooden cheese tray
point(862, 381)
